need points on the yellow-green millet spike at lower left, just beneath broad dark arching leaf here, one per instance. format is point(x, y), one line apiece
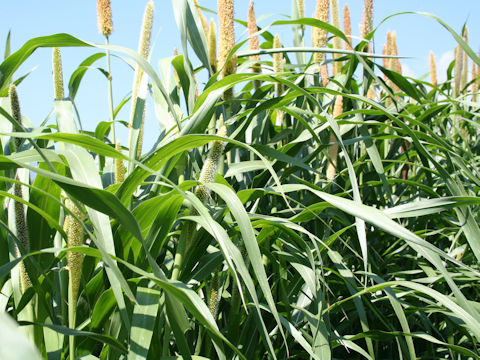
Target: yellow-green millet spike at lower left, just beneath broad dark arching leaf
point(74, 231)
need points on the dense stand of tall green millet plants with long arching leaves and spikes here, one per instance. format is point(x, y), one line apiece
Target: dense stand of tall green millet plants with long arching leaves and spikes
point(348, 229)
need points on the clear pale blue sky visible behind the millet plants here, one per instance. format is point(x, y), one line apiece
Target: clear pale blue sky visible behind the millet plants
point(416, 36)
